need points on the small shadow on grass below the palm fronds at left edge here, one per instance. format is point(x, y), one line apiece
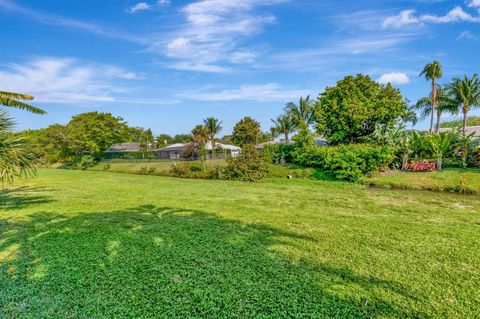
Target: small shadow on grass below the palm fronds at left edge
point(22, 197)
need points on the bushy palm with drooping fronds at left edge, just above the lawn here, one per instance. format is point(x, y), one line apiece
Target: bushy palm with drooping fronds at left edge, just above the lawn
point(16, 157)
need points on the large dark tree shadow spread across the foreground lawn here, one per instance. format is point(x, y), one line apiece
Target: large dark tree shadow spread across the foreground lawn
point(152, 262)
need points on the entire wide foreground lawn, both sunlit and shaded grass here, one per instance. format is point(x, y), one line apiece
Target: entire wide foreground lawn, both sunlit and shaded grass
point(77, 244)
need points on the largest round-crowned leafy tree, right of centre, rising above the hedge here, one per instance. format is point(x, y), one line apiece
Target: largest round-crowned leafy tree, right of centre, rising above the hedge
point(350, 110)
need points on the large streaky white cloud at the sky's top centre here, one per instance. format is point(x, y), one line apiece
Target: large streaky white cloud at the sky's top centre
point(211, 32)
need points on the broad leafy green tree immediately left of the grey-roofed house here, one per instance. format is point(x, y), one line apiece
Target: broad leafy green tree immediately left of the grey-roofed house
point(93, 133)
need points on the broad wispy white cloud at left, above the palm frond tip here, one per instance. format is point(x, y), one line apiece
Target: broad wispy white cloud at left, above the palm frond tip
point(66, 80)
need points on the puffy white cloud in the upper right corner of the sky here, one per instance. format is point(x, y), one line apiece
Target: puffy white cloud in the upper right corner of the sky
point(408, 17)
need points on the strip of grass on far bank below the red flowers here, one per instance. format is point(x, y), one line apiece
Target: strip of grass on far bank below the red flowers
point(449, 180)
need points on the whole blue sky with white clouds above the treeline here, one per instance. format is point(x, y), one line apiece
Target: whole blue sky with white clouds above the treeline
point(168, 64)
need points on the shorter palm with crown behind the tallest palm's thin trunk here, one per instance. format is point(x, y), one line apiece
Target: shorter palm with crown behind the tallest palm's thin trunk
point(445, 103)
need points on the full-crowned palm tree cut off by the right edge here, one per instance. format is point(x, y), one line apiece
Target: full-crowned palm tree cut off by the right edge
point(466, 93)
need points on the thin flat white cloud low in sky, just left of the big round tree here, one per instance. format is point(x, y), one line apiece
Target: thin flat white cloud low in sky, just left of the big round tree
point(260, 93)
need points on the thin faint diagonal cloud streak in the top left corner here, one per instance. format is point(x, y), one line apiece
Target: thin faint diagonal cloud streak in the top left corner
point(55, 20)
